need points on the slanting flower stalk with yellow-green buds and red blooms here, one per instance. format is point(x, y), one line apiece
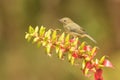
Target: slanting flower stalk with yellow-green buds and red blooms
point(75, 50)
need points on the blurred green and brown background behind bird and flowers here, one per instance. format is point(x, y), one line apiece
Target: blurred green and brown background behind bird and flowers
point(20, 60)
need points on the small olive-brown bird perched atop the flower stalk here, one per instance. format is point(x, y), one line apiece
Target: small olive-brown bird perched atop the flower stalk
point(74, 29)
